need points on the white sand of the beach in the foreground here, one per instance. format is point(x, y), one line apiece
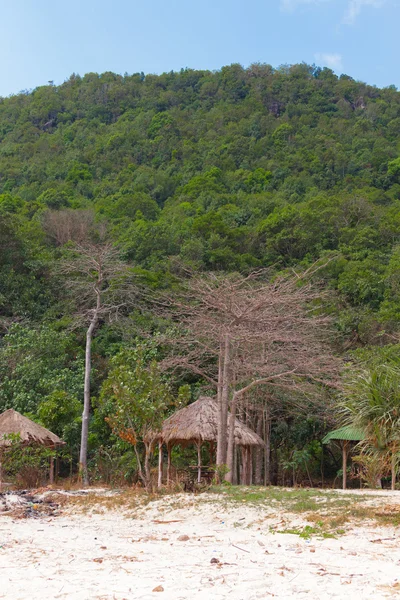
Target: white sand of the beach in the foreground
point(115, 556)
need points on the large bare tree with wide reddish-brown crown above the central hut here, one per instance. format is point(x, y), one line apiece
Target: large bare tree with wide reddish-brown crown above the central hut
point(240, 332)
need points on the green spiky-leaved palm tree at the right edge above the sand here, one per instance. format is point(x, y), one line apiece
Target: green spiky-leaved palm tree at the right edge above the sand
point(372, 402)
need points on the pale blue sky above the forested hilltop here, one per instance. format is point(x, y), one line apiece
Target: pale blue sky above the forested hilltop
point(43, 40)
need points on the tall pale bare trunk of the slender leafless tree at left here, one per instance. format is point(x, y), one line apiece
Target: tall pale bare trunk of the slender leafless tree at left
point(86, 398)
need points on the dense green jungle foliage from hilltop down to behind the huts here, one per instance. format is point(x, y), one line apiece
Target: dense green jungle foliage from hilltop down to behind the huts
point(226, 171)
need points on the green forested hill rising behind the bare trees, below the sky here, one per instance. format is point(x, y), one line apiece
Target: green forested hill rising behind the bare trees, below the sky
point(226, 170)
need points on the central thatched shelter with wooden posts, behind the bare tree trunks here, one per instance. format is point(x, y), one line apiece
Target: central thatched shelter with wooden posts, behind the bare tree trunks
point(198, 423)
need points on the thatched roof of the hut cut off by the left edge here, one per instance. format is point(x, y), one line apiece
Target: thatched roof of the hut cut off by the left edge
point(12, 421)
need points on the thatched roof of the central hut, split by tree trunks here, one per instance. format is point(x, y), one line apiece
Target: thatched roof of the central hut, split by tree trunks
point(198, 422)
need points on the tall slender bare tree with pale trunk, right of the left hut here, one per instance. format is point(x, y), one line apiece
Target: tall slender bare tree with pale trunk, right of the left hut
point(100, 285)
